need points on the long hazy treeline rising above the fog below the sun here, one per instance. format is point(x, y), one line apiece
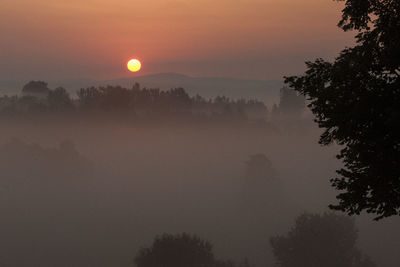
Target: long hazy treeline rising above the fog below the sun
point(36, 97)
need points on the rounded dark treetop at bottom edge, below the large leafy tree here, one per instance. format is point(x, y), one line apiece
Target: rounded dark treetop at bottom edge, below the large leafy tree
point(320, 240)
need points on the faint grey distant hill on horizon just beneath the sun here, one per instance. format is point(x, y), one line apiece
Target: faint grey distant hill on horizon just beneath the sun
point(208, 87)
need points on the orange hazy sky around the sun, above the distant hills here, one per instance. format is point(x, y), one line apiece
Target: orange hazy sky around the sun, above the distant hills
point(262, 39)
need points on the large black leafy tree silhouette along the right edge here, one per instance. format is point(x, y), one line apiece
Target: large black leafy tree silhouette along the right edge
point(357, 100)
